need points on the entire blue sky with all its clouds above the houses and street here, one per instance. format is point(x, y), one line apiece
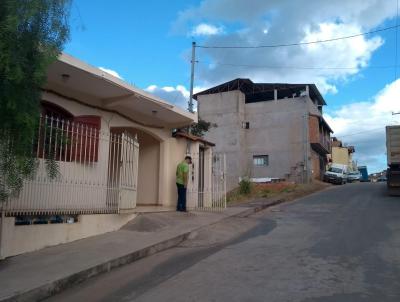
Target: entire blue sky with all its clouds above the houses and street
point(148, 44)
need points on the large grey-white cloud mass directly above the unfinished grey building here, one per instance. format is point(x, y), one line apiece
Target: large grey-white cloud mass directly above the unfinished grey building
point(287, 21)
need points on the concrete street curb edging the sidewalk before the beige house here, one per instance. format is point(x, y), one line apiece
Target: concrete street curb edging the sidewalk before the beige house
point(54, 287)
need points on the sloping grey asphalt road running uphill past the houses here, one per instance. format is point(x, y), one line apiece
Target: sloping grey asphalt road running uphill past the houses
point(342, 244)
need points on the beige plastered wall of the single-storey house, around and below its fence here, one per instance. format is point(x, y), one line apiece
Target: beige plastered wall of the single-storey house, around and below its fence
point(158, 157)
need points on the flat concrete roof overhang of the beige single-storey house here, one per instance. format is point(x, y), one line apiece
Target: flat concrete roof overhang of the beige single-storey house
point(77, 80)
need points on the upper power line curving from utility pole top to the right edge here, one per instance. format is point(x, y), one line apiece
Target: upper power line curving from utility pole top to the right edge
point(300, 43)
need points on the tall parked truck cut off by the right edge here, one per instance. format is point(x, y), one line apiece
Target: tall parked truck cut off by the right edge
point(393, 159)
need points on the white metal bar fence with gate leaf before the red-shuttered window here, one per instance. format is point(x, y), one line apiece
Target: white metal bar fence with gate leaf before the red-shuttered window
point(96, 171)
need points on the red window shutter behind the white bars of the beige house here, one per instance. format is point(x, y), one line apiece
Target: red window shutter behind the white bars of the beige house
point(86, 138)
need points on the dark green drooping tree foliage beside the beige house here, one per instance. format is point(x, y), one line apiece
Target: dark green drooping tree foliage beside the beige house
point(32, 34)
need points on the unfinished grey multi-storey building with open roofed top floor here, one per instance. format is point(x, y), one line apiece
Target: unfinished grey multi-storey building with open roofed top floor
point(267, 130)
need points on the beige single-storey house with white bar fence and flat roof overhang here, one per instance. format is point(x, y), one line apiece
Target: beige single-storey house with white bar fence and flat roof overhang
point(115, 155)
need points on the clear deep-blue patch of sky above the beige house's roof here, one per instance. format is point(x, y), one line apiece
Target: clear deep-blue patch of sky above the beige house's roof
point(132, 37)
